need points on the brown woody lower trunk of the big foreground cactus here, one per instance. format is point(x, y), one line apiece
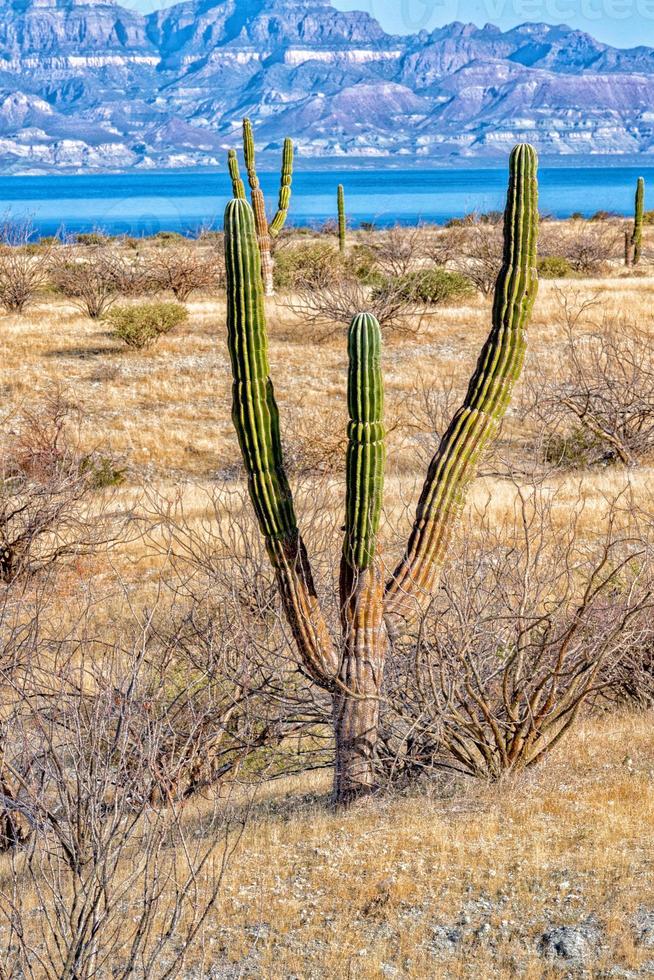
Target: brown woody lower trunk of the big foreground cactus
point(356, 704)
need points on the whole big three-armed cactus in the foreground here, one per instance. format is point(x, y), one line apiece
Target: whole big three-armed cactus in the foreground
point(369, 613)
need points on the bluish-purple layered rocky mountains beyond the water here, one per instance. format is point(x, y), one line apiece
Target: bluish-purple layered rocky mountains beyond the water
point(95, 86)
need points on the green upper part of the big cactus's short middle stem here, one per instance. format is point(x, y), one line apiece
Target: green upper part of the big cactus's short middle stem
point(366, 442)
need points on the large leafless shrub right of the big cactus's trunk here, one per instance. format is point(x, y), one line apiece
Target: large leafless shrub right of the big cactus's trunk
point(528, 616)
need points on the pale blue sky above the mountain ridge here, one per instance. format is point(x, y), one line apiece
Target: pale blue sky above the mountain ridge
point(621, 22)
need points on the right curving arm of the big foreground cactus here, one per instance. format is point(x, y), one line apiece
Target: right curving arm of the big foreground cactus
point(476, 422)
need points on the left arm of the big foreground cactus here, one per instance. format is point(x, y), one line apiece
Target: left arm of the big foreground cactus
point(256, 420)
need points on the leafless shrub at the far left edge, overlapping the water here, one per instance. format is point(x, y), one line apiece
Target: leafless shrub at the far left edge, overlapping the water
point(23, 270)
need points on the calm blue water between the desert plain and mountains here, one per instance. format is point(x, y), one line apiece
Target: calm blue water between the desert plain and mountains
point(137, 203)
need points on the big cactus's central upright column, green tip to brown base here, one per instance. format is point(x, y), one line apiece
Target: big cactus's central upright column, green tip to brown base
point(356, 706)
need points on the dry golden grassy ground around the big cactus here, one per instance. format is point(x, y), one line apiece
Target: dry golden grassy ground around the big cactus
point(545, 872)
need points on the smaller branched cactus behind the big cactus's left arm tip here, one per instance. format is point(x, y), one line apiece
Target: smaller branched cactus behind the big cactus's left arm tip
point(265, 231)
